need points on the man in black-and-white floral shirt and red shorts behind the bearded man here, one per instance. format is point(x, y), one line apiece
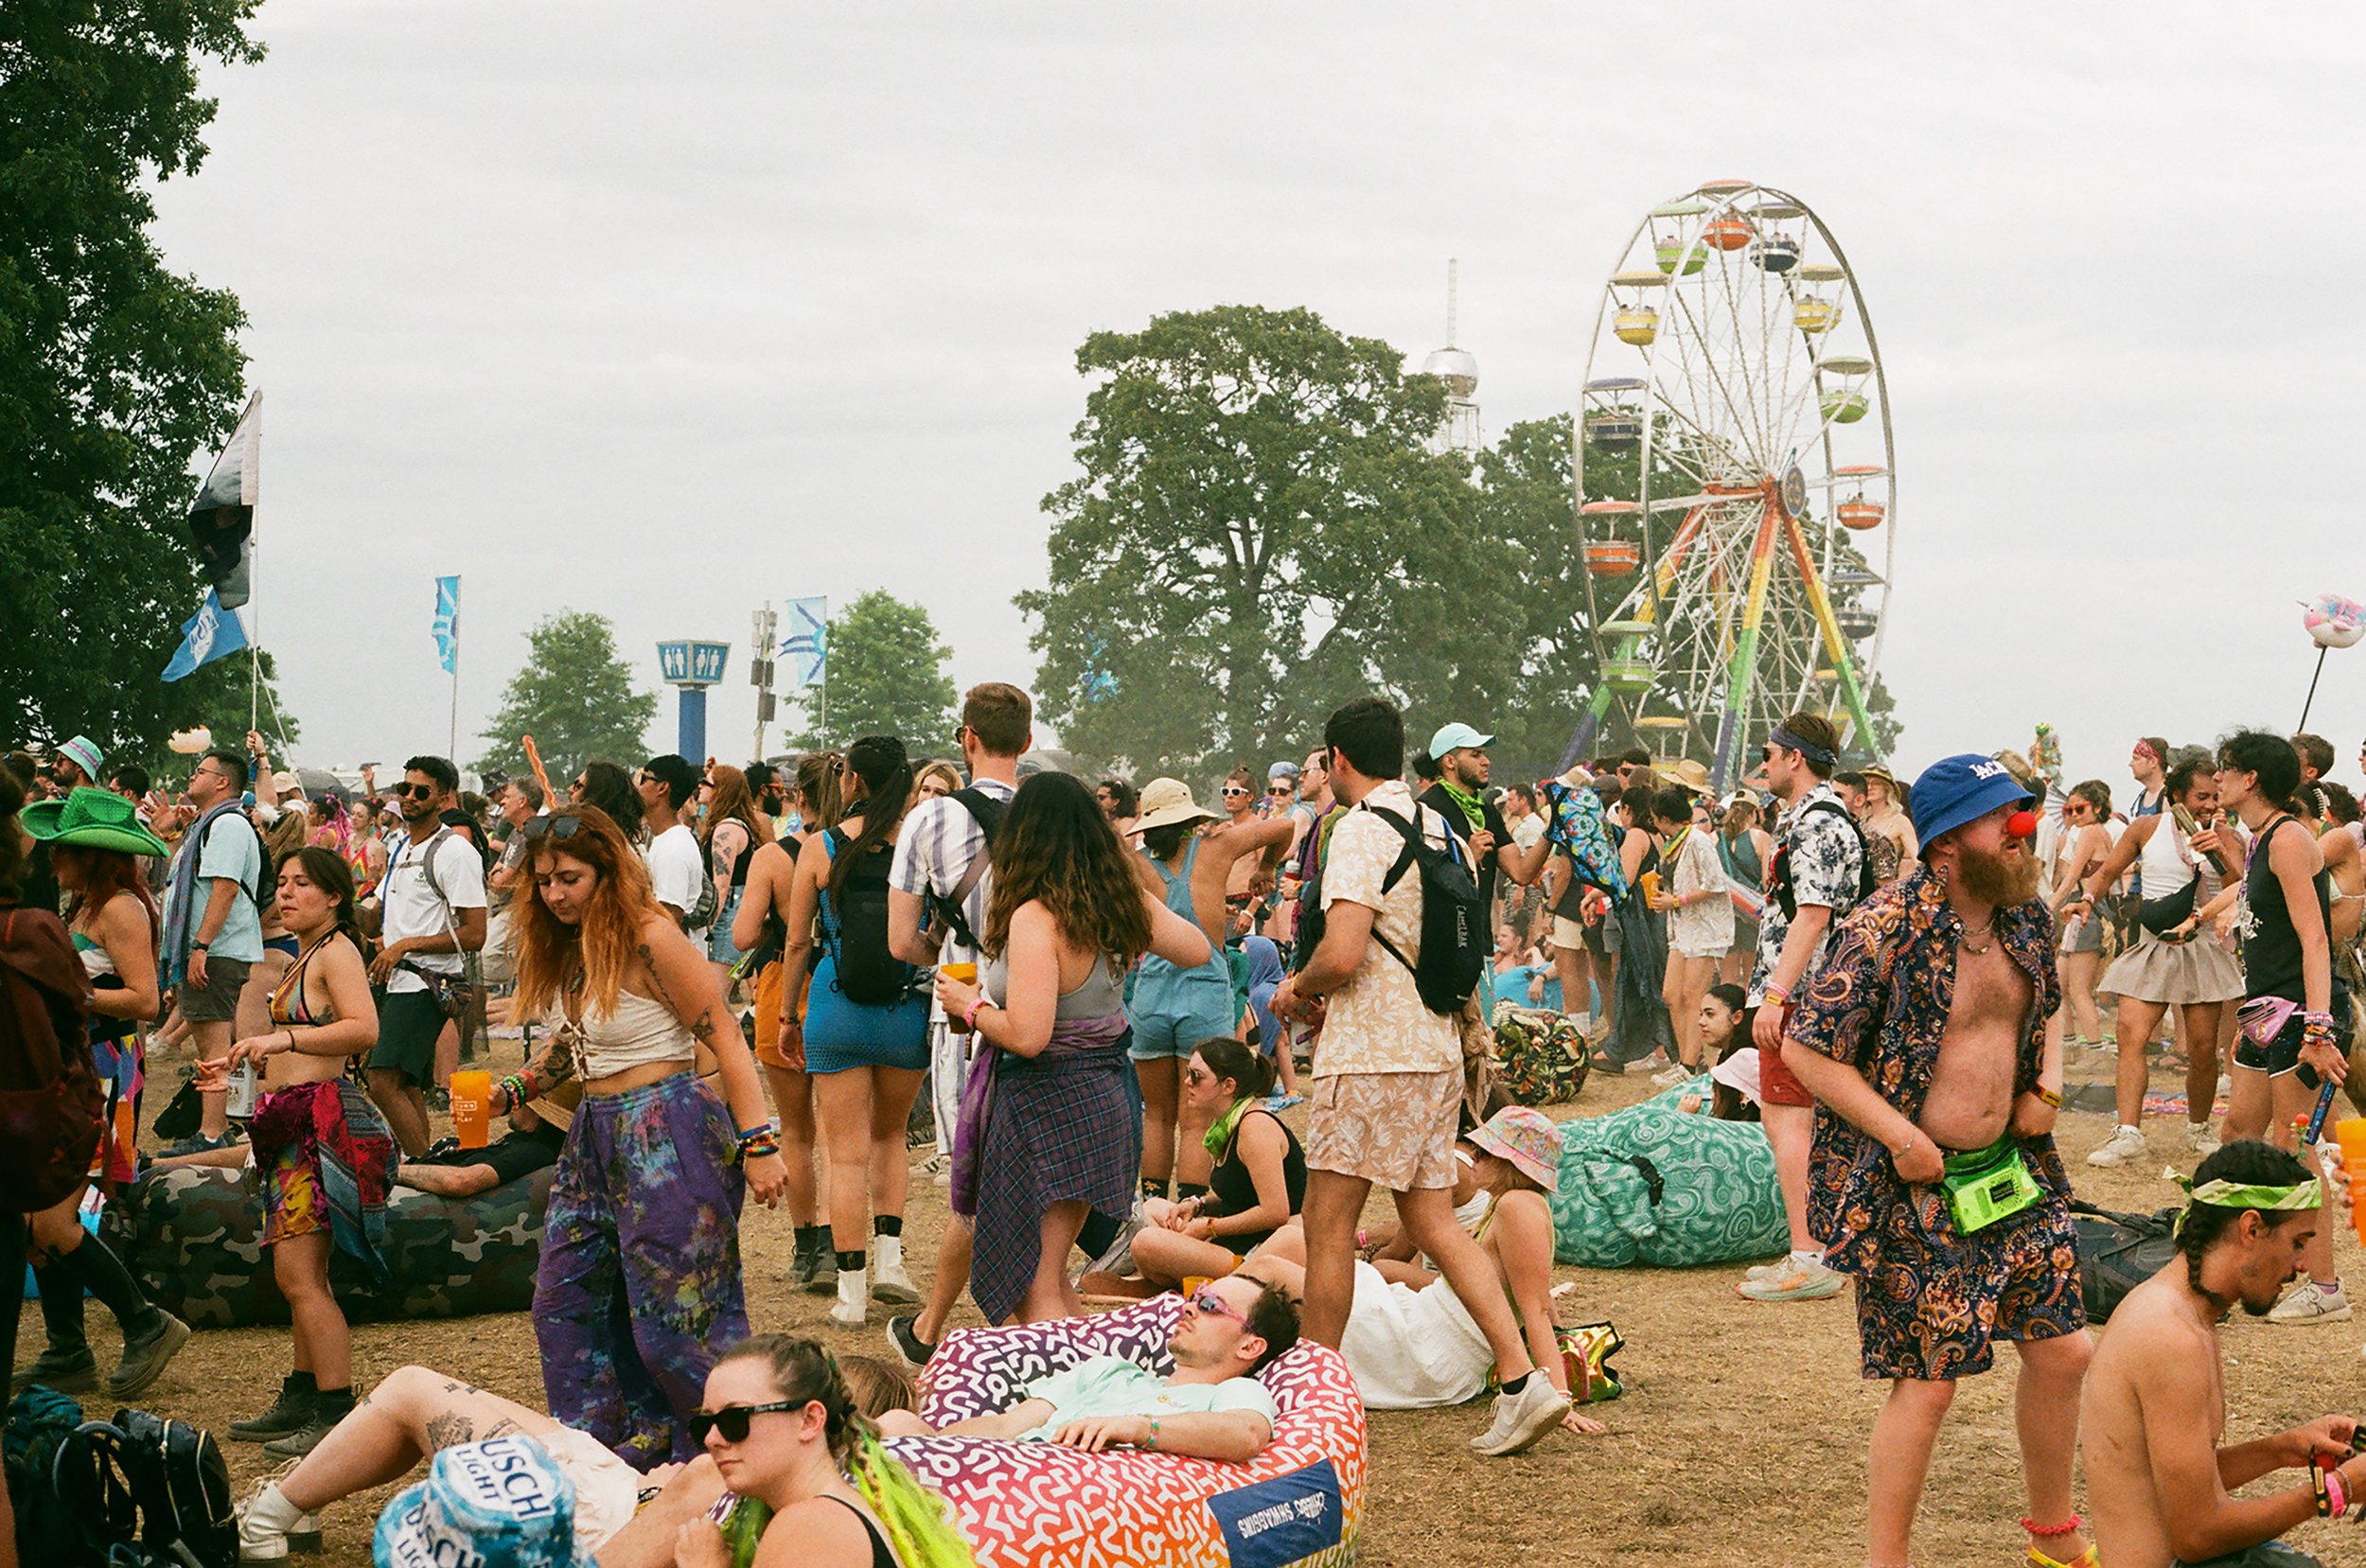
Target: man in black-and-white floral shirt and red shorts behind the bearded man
point(1818, 876)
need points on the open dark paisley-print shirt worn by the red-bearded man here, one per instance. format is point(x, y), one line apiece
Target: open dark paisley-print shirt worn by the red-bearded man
point(1882, 1006)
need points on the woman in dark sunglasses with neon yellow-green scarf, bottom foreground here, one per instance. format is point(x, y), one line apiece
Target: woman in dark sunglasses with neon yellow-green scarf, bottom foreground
point(784, 1432)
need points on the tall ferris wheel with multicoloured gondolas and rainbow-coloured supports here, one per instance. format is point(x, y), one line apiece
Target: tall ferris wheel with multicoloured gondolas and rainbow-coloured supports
point(1738, 488)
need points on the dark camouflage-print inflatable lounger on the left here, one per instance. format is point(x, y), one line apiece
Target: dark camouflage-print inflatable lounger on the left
point(195, 1240)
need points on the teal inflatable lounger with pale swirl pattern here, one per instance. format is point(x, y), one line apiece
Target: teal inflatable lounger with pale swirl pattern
point(1667, 1188)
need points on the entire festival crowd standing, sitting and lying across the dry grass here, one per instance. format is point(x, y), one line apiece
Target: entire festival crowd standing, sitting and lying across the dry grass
point(1165, 1047)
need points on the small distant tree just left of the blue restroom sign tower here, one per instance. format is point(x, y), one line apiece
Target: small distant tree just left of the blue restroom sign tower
point(574, 696)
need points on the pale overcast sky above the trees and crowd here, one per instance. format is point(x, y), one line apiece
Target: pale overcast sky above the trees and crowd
point(671, 309)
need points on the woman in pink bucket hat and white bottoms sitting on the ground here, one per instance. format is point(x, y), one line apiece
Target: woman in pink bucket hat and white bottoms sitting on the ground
point(1409, 1342)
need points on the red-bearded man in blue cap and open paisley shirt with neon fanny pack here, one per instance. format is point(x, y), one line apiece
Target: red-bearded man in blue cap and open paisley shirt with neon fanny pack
point(1934, 1177)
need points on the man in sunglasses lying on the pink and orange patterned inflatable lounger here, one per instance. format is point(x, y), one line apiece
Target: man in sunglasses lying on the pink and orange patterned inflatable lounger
point(1210, 1408)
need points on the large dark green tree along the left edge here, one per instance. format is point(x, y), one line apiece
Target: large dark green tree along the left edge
point(115, 372)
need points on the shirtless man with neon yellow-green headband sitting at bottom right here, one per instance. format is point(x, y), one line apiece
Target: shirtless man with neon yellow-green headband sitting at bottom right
point(2157, 1399)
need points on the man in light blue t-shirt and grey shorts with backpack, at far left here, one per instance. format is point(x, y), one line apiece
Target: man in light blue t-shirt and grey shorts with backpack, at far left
point(214, 926)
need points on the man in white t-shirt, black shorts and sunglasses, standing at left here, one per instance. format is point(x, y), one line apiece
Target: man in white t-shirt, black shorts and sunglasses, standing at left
point(425, 938)
